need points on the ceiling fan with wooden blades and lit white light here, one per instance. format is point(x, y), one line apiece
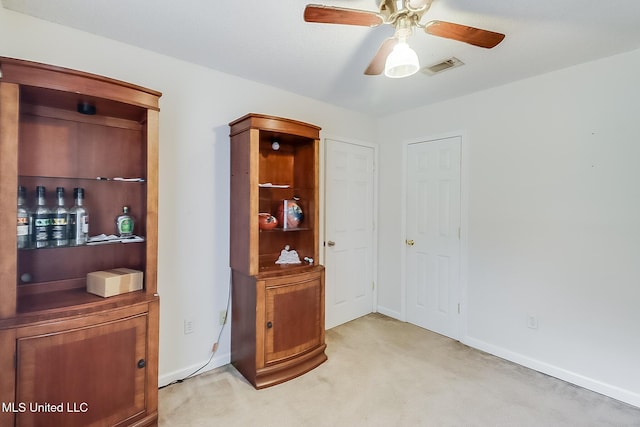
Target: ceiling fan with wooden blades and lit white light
point(394, 56)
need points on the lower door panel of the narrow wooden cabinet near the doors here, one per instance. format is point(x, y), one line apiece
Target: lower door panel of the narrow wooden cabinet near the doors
point(294, 313)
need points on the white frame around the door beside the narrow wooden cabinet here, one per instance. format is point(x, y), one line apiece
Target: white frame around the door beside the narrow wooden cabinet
point(323, 167)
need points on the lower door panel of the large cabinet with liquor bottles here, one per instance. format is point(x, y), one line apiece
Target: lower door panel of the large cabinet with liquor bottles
point(91, 374)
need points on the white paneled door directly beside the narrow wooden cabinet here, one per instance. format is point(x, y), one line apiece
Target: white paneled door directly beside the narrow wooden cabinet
point(349, 241)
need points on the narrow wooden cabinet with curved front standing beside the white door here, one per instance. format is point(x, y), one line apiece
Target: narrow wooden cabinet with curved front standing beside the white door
point(277, 328)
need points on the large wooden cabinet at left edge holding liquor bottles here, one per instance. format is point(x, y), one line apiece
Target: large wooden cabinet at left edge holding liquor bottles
point(68, 357)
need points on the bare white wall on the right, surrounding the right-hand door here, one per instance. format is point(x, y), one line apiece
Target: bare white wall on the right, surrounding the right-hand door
point(553, 219)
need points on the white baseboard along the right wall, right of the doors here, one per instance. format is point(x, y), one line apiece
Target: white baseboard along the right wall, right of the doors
point(609, 390)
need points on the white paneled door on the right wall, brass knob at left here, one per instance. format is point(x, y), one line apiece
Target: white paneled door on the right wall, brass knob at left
point(433, 235)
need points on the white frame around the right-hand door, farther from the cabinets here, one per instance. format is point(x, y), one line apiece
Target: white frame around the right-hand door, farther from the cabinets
point(464, 224)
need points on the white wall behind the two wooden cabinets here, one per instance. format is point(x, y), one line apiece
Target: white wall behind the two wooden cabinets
point(196, 107)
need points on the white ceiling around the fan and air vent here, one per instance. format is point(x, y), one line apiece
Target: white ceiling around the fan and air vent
point(268, 41)
